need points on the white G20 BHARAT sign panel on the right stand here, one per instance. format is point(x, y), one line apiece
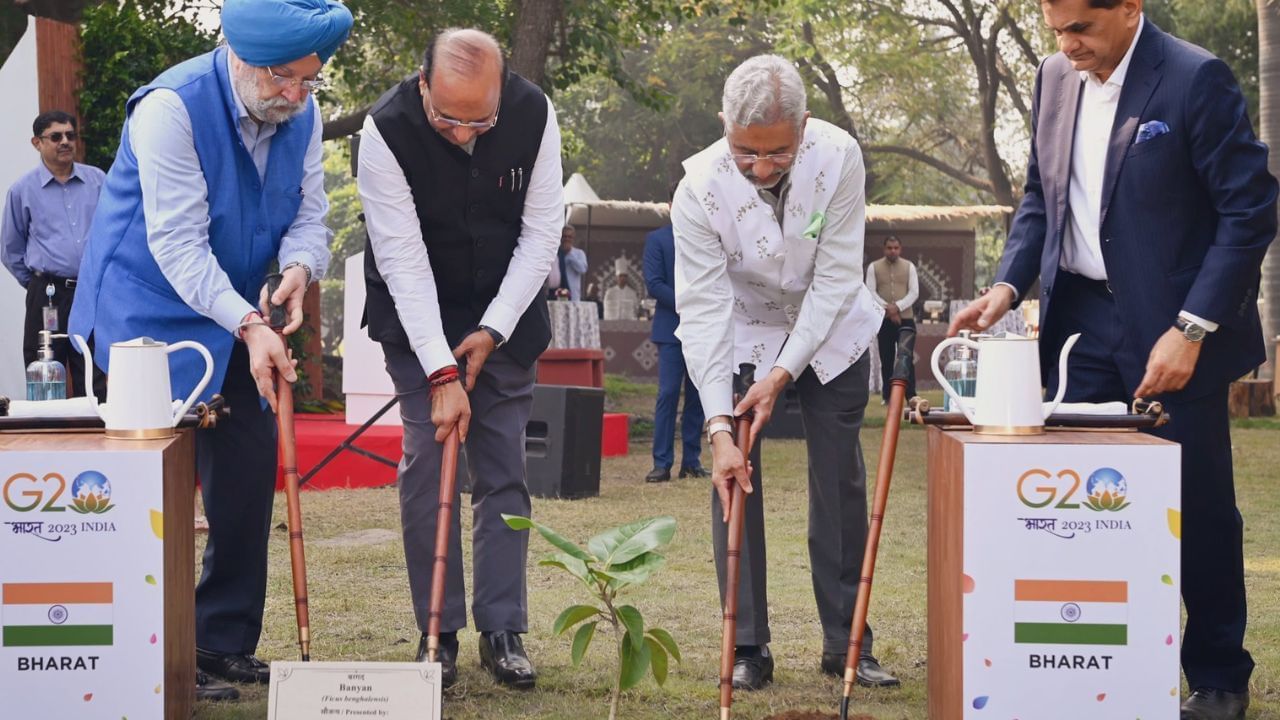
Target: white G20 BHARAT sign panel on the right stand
point(1072, 581)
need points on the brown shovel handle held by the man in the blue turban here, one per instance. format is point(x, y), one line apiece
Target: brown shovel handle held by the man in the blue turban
point(278, 318)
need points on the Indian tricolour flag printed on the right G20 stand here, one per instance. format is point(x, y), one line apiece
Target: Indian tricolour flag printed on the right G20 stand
point(1072, 612)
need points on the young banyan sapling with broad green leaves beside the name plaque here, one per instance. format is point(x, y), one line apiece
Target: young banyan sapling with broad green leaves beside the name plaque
point(614, 560)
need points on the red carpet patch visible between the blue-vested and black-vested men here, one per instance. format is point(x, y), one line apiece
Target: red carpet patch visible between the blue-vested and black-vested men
point(319, 435)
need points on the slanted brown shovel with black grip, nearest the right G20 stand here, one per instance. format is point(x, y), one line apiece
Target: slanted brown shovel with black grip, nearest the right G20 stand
point(884, 475)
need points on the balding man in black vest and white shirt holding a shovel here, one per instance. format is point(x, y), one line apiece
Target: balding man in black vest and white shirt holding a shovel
point(460, 177)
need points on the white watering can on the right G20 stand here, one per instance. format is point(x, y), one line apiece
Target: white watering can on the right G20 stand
point(1008, 399)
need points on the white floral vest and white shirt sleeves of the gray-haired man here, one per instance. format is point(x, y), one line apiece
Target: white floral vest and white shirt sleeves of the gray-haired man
point(753, 290)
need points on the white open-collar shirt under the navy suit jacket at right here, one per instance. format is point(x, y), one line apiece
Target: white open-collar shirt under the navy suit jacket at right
point(1082, 249)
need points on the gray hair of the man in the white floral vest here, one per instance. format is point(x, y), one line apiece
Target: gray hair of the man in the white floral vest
point(764, 90)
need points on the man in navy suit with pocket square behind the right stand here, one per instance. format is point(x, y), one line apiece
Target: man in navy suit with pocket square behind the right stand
point(1148, 212)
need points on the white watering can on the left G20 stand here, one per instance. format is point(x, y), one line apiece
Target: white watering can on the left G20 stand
point(139, 388)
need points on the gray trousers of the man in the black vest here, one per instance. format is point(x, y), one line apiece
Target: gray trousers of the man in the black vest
point(501, 404)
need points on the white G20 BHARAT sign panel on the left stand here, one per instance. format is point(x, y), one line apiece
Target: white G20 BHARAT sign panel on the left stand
point(83, 585)
